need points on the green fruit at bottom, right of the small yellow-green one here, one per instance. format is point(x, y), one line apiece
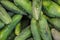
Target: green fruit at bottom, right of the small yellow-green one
point(24, 34)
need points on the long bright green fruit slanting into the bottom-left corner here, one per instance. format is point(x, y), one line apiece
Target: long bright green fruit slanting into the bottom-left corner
point(8, 29)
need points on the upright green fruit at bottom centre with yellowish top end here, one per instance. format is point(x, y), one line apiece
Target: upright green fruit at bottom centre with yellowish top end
point(34, 29)
